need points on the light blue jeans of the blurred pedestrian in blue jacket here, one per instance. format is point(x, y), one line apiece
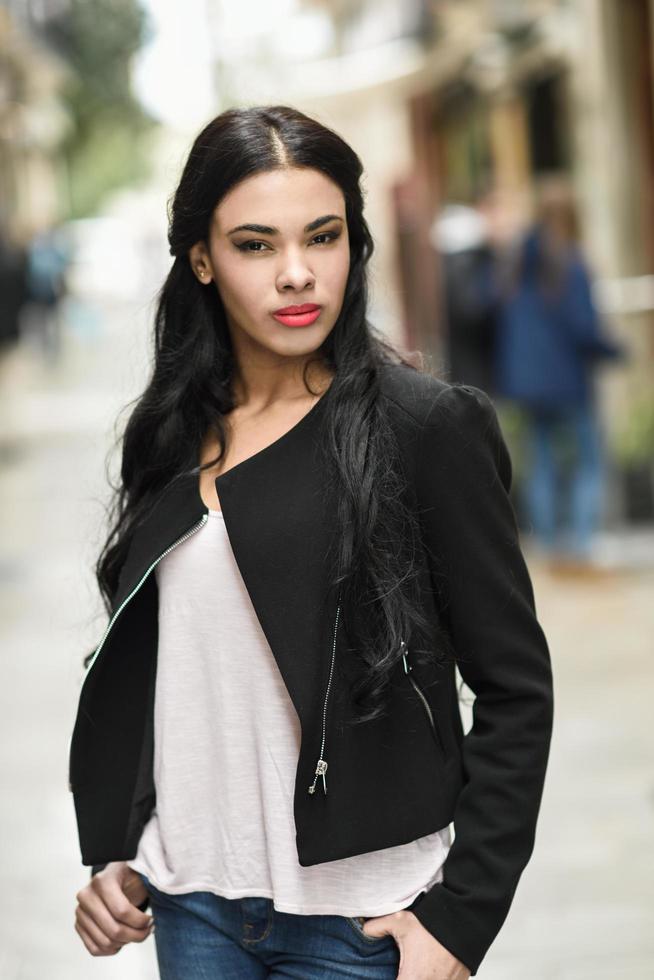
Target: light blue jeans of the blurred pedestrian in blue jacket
point(564, 513)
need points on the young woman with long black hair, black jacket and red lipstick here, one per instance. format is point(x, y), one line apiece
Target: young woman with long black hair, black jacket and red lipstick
point(309, 535)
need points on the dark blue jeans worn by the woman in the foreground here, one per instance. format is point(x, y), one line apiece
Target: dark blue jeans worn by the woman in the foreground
point(201, 936)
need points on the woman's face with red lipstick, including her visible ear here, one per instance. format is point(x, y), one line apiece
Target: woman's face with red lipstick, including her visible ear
point(294, 252)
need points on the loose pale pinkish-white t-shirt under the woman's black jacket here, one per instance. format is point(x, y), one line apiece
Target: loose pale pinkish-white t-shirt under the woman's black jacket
point(226, 745)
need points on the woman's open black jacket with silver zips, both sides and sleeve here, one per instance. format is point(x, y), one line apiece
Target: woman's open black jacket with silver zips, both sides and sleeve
point(413, 772)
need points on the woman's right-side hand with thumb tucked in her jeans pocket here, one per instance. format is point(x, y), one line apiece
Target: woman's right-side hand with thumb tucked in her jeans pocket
point(422, 957)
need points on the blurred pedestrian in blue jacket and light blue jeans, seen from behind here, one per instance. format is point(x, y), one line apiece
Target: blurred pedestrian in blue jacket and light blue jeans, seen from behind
point(549, 342)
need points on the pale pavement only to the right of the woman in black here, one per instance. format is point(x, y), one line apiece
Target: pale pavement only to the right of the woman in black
point(585, 905)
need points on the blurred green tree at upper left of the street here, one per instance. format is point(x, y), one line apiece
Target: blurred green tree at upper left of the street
point(108, 144)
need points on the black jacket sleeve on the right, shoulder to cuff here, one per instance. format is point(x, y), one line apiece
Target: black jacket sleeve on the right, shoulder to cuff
point(463, 478)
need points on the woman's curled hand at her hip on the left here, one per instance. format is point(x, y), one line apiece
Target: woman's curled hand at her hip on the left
point(107, 916)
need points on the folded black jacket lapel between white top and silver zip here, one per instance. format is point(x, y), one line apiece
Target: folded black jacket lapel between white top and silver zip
point(276, 514)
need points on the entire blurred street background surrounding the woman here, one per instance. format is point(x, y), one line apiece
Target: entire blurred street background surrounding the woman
point(508, 145)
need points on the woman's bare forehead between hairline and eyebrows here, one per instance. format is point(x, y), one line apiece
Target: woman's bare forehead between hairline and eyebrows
point(284, 198)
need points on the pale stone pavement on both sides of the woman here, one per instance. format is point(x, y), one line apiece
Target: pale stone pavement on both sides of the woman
point(585, 905)
